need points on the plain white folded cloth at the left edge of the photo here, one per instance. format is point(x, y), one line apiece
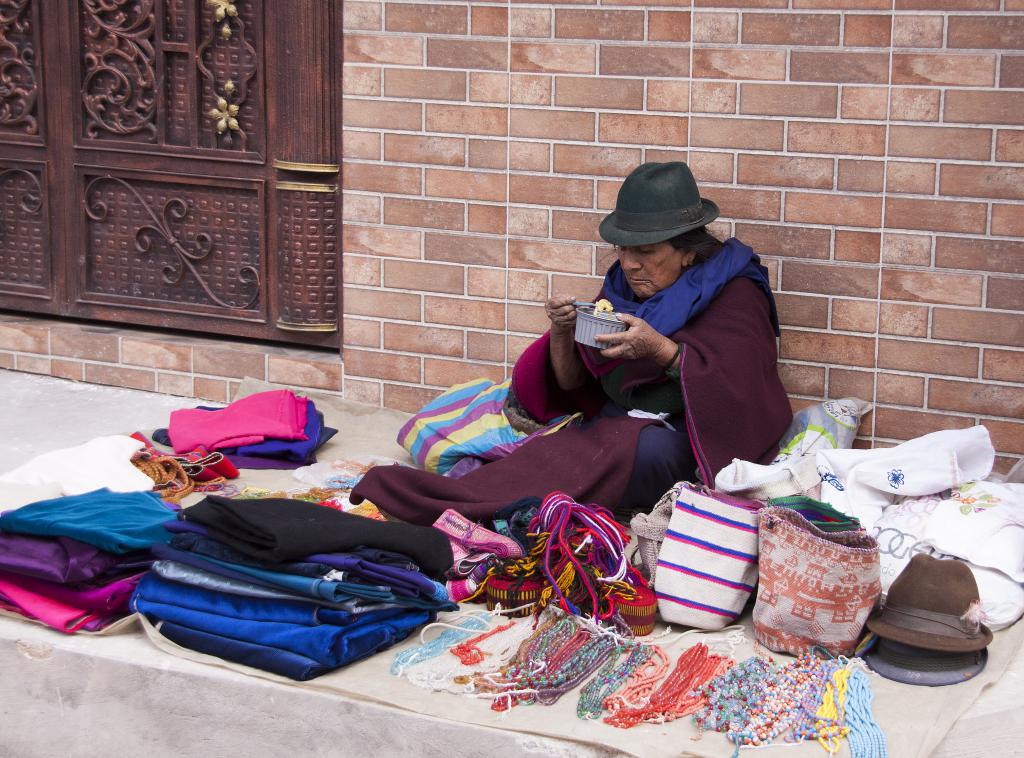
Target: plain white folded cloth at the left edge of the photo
point(99, 464)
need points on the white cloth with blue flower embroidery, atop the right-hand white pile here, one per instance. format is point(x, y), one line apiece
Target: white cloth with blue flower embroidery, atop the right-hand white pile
point(863, 483)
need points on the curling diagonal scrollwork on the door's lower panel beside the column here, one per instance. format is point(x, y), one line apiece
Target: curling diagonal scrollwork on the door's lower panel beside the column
point(188, 254)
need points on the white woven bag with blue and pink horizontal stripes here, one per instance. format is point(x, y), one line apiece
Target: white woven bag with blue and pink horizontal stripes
point(708, 565)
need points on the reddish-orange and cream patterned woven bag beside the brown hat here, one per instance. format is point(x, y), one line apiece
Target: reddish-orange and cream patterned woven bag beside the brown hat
point(817, 588)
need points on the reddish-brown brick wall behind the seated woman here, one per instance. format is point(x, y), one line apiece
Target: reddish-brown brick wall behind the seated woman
point(873, 151)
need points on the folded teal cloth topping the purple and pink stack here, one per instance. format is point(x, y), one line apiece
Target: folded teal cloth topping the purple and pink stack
point(118, 523)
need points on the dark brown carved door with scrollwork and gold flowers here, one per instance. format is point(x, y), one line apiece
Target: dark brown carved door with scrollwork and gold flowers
point(173, 163)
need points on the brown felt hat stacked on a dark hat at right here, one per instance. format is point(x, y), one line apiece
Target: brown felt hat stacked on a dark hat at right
point(933, 605)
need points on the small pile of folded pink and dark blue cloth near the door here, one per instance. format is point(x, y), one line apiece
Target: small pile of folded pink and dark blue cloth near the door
point(275, 430)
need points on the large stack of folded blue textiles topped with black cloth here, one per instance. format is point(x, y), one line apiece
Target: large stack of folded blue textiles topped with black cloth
point(292, 587)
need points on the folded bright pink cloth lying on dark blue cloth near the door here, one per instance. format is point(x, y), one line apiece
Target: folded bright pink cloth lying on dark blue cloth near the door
point(275, 415)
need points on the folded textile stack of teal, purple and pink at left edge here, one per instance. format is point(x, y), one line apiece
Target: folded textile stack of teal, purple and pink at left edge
point(73, 563)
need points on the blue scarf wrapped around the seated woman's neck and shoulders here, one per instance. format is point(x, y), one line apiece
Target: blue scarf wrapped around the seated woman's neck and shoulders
point(670, 310)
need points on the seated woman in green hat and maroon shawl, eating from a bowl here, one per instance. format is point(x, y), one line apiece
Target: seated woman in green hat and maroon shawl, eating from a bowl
point(690, 386)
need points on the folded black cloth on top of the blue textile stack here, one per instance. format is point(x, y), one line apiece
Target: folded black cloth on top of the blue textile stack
point(282, 530)
